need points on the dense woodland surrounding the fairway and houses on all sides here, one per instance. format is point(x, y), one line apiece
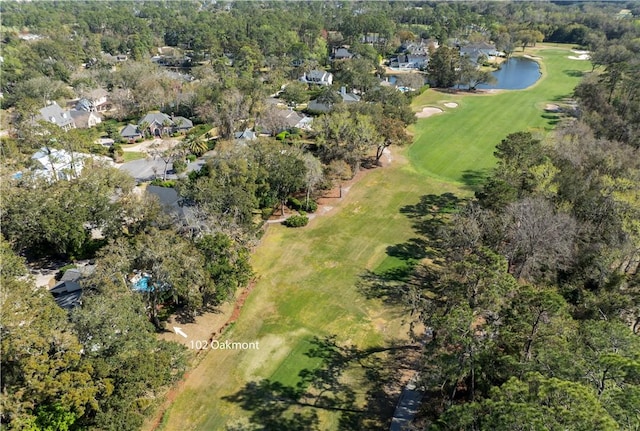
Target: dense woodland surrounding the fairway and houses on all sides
point(529, 287)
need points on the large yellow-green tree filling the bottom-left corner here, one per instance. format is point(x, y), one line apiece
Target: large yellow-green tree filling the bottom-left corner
point(44, 378)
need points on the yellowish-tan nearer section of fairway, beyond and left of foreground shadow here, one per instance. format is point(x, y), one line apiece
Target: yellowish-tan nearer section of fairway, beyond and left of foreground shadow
point(306, 288)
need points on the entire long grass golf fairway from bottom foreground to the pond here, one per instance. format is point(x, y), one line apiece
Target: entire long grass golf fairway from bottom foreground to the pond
point(307, 277)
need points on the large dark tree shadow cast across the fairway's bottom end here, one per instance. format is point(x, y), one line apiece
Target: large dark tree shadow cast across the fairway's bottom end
point(344, 374)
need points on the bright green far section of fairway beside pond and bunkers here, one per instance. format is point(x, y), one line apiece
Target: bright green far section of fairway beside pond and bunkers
point(458, 145)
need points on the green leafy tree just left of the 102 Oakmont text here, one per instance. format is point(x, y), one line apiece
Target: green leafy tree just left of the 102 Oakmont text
point(121, 347)
